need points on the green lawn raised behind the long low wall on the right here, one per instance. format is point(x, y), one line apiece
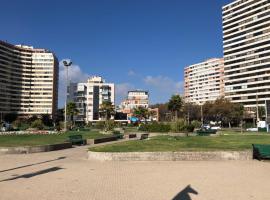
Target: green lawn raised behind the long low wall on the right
point(197, 143)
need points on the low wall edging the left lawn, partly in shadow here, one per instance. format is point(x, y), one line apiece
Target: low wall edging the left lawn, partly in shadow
point(34, 149)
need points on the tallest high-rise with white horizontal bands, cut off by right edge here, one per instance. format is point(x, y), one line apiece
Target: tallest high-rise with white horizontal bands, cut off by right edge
point(246, 46)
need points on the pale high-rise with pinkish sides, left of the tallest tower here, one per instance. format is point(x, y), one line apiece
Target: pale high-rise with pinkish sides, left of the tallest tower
point(204, 81)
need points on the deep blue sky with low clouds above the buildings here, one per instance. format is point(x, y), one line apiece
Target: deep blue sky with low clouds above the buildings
point(136, 44)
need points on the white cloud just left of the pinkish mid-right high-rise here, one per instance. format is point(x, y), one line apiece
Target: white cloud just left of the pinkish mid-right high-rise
point(164, 84)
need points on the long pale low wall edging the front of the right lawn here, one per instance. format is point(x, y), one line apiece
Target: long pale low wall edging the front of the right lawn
point(171, 156)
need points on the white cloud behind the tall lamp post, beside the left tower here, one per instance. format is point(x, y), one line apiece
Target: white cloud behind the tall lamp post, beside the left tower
point(75, 74)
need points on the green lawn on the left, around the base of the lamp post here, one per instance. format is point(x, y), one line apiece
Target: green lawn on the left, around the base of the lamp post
point(33, 140)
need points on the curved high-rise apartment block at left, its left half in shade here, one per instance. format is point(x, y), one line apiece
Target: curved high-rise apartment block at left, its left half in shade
point(28, 80)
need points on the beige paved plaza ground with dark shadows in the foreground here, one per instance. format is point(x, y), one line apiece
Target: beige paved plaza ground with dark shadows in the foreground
point(67, 174)
